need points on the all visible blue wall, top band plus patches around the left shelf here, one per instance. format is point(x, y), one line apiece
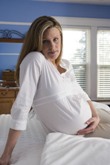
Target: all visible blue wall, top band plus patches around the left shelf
point(27, 11)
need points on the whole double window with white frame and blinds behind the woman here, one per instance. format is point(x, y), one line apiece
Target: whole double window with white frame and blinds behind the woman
point(87, 46)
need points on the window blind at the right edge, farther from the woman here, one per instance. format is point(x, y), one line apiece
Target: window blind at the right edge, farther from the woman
point(103, 63)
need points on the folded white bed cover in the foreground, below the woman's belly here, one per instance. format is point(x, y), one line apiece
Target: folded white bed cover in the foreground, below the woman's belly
point(63, 149)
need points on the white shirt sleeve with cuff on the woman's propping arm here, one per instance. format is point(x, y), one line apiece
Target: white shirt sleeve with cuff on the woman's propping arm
point(30, 70)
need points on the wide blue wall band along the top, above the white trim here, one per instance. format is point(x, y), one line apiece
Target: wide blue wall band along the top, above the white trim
point(27, 10)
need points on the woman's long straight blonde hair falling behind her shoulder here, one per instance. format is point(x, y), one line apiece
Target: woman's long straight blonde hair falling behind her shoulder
point(34, 39)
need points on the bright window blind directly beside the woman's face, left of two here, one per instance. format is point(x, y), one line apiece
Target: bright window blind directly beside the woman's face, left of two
point(75, 49)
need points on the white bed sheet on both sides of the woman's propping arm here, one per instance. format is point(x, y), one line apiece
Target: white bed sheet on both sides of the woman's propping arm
point(29, 146)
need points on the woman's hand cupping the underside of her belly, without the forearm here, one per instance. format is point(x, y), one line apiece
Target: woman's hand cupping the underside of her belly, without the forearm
point(92, 123)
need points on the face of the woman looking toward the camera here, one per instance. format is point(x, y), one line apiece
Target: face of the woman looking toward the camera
point(51, 44)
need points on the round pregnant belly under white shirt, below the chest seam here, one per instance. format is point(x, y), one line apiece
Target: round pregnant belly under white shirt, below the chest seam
point(66, 119)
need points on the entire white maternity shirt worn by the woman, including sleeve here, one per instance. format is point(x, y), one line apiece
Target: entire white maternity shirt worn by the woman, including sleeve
point(58, 100)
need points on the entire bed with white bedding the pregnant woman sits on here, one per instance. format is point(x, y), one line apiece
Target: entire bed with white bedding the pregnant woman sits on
point(36, 147)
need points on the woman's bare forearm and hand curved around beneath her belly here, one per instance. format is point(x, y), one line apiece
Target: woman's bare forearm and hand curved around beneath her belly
point(92, 122)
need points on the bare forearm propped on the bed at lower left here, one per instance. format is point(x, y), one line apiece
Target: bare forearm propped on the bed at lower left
point(11, 142)
